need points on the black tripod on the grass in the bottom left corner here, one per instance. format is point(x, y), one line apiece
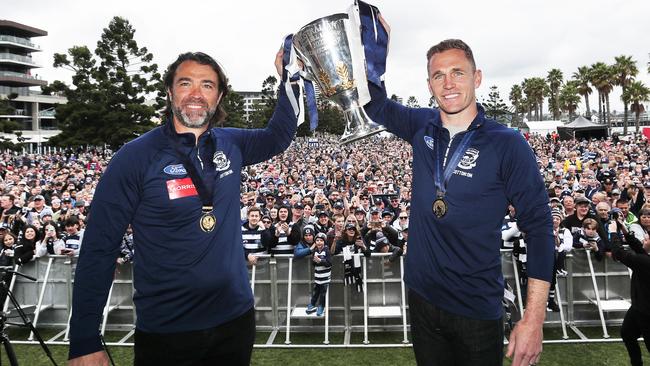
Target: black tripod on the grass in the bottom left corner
point(26, 322)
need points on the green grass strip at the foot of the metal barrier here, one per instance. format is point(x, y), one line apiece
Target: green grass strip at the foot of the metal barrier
point(594, 354)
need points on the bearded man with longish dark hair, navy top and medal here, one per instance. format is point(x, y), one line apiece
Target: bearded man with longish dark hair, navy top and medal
point(178, 186)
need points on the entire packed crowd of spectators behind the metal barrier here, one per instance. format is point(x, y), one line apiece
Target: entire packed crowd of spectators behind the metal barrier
point(358, 195)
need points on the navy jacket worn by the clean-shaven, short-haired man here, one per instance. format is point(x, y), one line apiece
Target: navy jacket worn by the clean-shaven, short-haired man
point(454, 262)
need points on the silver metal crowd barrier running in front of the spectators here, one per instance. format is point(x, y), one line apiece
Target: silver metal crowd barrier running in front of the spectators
point(594, 293)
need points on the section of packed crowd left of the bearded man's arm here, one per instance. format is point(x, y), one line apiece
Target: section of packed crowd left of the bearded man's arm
point(44, 201)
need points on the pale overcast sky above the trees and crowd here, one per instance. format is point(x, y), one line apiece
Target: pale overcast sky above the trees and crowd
point(511, 39)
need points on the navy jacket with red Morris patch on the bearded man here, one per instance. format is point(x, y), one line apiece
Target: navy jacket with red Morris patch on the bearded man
point(185, 279)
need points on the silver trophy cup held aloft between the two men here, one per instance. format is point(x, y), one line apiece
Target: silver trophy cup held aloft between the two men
point(323, 47)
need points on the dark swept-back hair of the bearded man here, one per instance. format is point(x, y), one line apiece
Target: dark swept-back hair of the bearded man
point(203, 59)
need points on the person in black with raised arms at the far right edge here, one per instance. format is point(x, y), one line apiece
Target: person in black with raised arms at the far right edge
point(637, 318)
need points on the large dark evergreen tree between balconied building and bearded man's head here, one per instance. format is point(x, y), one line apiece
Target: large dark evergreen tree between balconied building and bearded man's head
point(106, 102)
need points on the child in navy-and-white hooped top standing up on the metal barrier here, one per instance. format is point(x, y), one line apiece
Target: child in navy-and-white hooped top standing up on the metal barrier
point(322, 273)
